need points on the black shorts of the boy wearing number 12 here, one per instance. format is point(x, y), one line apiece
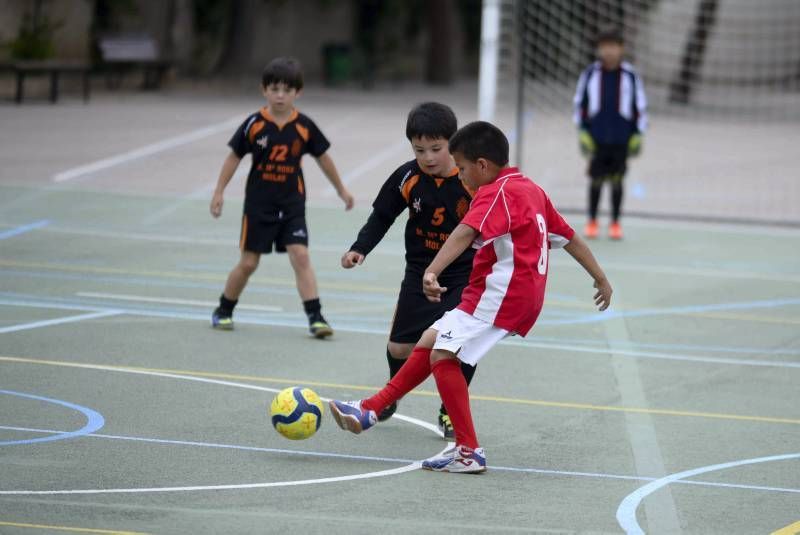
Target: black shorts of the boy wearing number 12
point(259, 233)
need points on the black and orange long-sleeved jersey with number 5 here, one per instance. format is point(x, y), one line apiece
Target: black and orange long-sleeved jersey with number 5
point(435, 207)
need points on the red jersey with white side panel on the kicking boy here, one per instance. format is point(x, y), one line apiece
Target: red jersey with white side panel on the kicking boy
point(517, 224)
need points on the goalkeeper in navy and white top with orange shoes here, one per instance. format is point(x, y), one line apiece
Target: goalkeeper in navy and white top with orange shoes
point(610, 112)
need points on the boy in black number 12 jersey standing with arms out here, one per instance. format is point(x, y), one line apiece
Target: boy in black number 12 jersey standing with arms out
point(277, 136)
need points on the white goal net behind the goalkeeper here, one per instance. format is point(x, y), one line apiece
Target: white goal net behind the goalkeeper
point(722, 79)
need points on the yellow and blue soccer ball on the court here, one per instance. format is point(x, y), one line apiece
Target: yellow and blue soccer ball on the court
point(296, 413)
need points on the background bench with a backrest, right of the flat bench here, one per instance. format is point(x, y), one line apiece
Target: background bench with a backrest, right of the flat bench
point(120, 52)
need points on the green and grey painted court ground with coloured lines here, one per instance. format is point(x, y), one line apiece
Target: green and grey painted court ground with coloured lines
point(121, 410)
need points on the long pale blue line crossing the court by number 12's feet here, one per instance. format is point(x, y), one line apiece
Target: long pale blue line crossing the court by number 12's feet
point(247, 318)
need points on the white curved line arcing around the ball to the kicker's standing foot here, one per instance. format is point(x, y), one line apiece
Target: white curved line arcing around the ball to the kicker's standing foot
point(368, 475)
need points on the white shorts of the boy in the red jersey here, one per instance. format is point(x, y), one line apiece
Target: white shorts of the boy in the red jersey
point(465, 335)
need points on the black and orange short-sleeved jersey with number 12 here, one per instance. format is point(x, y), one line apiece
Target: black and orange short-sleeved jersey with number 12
point(275, 183)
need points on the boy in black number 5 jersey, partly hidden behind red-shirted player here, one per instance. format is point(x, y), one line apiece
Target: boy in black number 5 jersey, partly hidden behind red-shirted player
point(436, 200)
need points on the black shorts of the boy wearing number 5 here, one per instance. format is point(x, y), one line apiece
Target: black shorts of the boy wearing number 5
point(414, 313)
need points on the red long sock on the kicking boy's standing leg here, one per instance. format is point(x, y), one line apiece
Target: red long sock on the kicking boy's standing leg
point(455, 396)
